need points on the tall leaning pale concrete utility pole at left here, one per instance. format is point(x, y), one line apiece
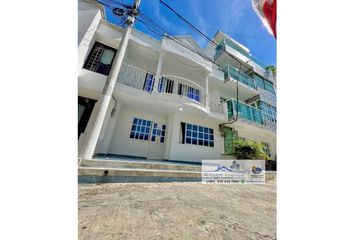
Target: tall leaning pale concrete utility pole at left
point(92, 137)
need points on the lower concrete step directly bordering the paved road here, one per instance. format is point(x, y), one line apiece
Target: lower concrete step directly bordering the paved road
point(111, 175)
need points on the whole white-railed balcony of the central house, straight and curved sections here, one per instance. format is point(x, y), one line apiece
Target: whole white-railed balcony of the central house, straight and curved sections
point(143, 80)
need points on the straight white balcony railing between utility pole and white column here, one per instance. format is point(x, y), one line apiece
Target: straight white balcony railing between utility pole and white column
point(132, 76)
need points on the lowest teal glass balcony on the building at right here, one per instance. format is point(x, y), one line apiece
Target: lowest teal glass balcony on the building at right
point(250, 114)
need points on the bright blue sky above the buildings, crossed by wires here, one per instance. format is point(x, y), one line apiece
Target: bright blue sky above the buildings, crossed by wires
point(236, 18)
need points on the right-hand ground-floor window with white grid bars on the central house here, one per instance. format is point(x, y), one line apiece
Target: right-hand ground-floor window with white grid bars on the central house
point(197, 135)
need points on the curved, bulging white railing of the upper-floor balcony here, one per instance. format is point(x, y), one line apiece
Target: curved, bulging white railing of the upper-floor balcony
point(181, 87)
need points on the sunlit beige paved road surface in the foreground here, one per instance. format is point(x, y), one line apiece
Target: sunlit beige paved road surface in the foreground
point(177, 211)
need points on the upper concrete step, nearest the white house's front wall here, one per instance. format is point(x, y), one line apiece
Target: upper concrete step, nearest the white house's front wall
point(143, 164)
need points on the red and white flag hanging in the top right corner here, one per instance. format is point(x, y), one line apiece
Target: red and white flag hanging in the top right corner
point(267, 12)
